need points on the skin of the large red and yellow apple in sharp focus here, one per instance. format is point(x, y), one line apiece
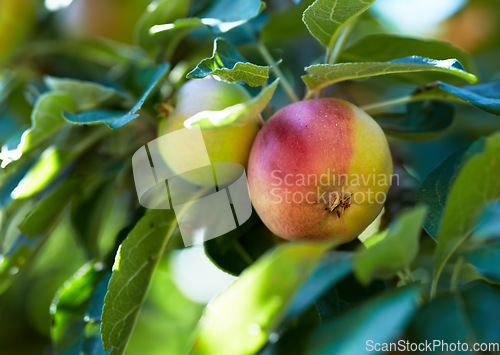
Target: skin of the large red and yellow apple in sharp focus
point(301, 142)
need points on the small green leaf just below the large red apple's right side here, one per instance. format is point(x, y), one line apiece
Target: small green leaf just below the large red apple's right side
point(395, 252)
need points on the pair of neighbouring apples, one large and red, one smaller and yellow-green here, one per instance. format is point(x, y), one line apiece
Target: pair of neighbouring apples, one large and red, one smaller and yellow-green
point(317, 168)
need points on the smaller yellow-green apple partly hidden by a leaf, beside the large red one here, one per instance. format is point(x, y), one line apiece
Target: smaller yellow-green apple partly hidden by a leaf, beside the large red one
point(223, 144)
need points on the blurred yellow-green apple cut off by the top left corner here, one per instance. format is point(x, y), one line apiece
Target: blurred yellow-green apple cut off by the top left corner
point(17, 18)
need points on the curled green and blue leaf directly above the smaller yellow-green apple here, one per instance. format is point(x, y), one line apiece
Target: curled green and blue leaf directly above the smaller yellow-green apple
point(229, 65)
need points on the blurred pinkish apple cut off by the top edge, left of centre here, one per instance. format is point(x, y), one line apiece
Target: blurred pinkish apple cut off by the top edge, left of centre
point(111, 19)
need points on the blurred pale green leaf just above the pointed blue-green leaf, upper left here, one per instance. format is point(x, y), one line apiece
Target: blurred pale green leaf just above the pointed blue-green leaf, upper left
point(86, 95)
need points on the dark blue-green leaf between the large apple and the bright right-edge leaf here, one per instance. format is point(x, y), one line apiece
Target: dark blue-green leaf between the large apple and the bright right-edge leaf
point(436, 186)
